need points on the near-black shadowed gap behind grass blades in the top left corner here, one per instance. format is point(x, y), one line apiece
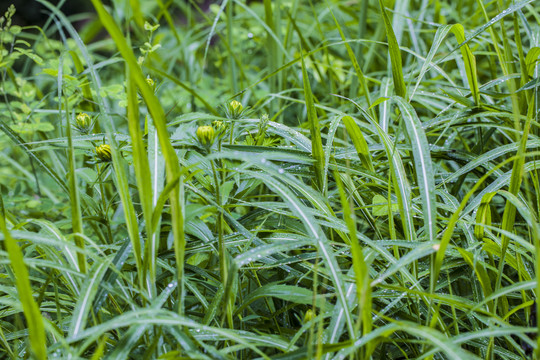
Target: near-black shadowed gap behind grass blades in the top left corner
point(31, 12)
